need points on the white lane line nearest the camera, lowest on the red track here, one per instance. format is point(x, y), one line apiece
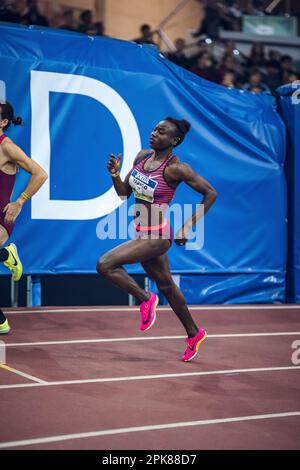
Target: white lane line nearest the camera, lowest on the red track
point(155, 427)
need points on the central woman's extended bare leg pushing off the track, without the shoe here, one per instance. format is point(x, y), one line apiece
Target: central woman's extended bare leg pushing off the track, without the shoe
point(158, 269)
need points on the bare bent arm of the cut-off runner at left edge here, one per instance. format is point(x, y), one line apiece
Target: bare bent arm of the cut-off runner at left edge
point(38, 176)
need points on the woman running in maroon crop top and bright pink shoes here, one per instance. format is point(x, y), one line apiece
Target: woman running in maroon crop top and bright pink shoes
point(153, 179)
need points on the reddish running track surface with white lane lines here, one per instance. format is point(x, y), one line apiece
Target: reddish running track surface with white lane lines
point(109, 389)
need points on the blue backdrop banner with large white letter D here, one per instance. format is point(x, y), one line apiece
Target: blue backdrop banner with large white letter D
point(83, 98)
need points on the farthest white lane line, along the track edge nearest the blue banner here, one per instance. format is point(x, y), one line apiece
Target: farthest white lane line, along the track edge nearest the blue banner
point(133, 309)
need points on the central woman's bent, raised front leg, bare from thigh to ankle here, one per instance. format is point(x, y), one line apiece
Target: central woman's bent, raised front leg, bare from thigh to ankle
point(133, 251)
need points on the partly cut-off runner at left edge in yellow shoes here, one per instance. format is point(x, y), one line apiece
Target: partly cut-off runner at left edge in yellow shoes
point(11, 158)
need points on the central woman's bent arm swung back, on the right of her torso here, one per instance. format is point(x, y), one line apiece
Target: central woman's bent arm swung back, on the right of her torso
point(183, 172)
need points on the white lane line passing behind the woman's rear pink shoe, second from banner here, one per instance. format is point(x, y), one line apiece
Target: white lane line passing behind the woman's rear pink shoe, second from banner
point(148, 338)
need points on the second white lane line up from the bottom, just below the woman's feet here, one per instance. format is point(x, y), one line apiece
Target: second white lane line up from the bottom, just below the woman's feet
point(150, 377)
